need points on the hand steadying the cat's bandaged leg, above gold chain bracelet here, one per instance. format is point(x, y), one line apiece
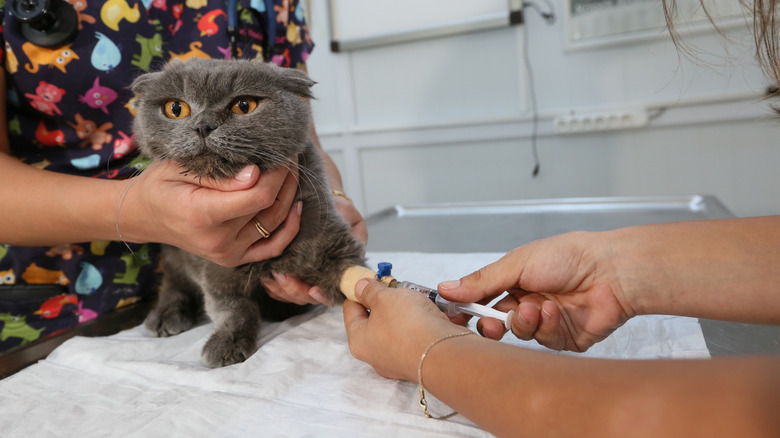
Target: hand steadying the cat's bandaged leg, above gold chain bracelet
point(392, 337)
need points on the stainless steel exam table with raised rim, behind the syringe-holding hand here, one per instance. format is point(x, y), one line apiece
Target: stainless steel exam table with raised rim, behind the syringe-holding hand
point(502, 226)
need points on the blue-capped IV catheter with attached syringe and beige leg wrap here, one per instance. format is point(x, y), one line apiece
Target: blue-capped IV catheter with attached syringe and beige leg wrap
point(352, 275)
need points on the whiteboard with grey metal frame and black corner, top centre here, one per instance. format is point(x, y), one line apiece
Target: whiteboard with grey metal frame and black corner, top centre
point(360, 24)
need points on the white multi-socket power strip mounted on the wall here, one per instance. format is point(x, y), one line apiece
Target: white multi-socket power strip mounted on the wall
point(601, 121)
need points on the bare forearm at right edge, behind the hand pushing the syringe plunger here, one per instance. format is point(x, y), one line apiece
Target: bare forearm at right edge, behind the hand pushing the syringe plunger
point(724, 269)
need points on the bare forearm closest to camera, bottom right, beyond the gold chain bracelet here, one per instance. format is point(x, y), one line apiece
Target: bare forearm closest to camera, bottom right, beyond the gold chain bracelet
point(512, 391)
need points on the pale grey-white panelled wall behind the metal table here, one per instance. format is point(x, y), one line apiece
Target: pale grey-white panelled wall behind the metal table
point(449, 119)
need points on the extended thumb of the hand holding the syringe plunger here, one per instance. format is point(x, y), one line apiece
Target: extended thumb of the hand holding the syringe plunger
point(487, 282)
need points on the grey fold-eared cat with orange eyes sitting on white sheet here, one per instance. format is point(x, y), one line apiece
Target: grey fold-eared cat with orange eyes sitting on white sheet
point(214, 117)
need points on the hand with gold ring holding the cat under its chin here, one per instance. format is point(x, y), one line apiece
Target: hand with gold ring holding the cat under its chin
point(209, 218)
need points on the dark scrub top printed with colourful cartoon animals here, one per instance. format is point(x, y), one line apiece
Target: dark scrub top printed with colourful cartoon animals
point(67, 111)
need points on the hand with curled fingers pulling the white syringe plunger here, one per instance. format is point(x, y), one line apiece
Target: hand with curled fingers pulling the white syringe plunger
point(563, 289)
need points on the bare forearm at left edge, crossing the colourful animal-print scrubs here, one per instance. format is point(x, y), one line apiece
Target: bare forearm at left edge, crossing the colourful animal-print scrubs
point(46, 208)
